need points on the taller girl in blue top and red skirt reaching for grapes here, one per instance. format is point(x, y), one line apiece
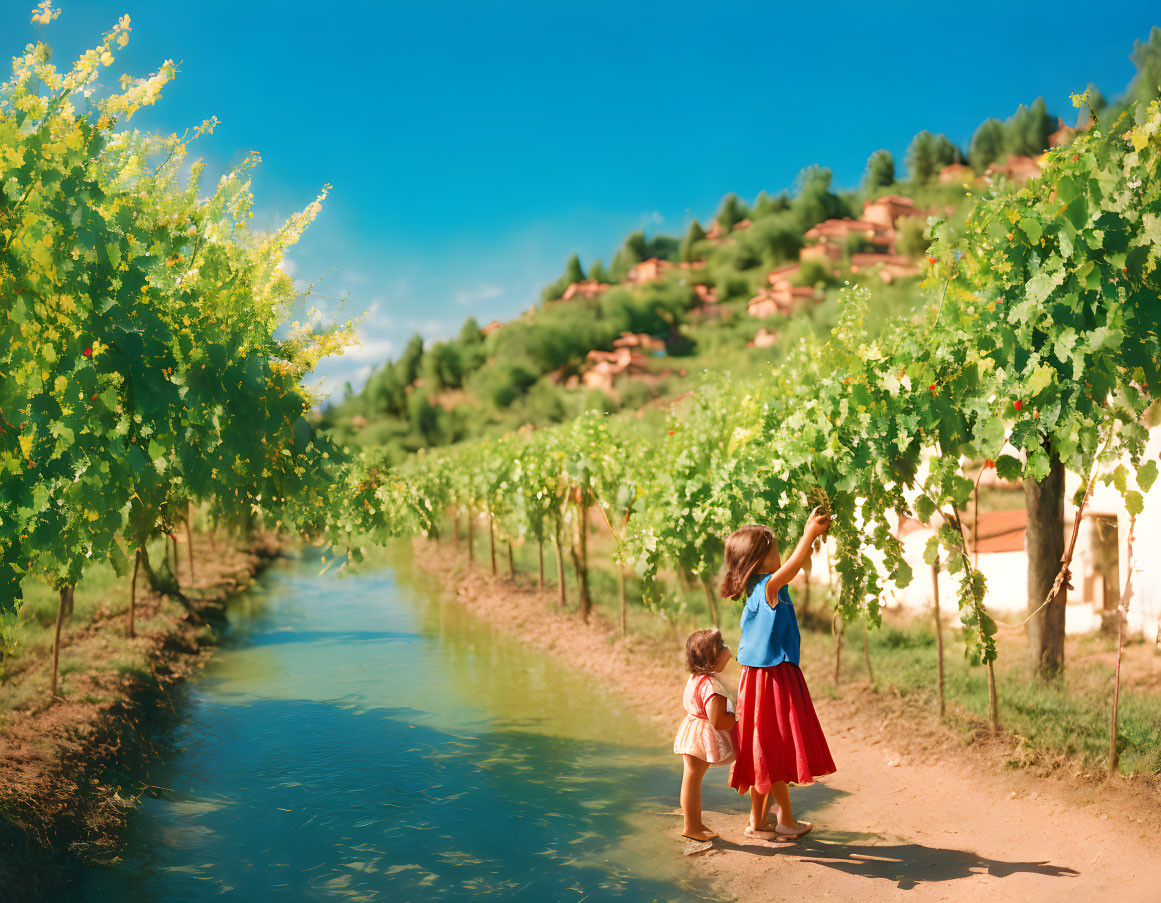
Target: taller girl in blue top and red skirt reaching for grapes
point(780, 738)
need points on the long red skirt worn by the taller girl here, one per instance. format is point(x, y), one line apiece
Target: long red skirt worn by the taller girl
point(780, 736)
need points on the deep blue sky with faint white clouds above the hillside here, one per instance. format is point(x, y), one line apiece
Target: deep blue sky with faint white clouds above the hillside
point(472, 147)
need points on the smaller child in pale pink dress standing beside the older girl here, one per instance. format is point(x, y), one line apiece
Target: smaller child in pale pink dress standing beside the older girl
point(706, 736)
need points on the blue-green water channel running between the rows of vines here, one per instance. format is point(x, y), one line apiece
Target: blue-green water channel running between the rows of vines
point(364, 739)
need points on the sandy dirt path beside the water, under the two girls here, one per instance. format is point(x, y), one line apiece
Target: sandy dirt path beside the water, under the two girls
point(911, 814)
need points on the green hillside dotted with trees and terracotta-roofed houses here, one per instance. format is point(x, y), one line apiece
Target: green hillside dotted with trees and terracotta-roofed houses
point(733, 297)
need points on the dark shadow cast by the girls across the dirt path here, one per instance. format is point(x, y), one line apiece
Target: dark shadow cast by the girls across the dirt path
point(906, 865)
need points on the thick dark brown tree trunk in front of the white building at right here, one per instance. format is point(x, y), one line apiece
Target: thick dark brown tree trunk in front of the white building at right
point(1045, 545)
